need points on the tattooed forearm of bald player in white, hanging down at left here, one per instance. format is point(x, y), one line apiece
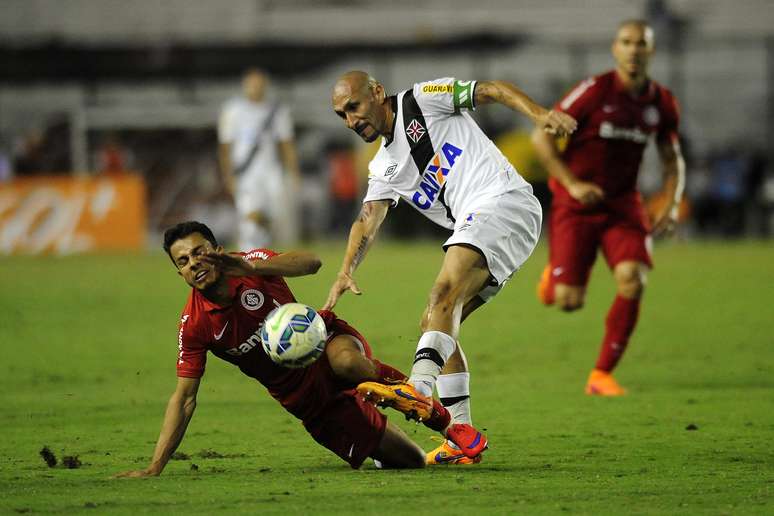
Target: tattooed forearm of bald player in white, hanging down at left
point(361, 236)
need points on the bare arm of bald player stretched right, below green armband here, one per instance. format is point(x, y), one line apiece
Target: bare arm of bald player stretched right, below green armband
point(507, 94)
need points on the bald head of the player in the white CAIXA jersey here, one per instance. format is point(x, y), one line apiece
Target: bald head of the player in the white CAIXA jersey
point(361, 102)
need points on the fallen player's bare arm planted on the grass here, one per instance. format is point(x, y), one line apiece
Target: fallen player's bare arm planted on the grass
point(180, 409)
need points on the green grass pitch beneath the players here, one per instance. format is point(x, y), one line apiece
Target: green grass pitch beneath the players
point(88, 354)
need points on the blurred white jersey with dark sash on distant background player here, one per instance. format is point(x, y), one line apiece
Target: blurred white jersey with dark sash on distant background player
point(243, 124)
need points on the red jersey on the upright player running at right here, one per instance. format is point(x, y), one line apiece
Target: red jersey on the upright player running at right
point(613, 130)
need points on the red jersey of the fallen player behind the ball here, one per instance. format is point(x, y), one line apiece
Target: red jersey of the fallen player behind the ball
point(232, 333)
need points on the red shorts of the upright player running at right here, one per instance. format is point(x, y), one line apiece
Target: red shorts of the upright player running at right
point(620, 228)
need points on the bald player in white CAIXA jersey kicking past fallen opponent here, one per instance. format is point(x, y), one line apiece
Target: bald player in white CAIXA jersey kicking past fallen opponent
point(435, 157)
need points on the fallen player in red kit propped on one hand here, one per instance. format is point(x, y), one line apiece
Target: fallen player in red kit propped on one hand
point(231, 297)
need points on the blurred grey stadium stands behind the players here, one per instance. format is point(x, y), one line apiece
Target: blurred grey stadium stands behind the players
point(153, 75)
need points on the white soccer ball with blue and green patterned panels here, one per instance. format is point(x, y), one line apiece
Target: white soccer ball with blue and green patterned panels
point(294, 335)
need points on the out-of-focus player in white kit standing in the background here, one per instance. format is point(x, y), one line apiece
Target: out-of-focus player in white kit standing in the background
point(256, 152)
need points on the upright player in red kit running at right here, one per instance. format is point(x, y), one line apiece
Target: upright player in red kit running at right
point(596, 204)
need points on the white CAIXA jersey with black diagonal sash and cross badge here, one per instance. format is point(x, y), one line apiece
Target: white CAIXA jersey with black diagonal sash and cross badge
point(439, 160)
